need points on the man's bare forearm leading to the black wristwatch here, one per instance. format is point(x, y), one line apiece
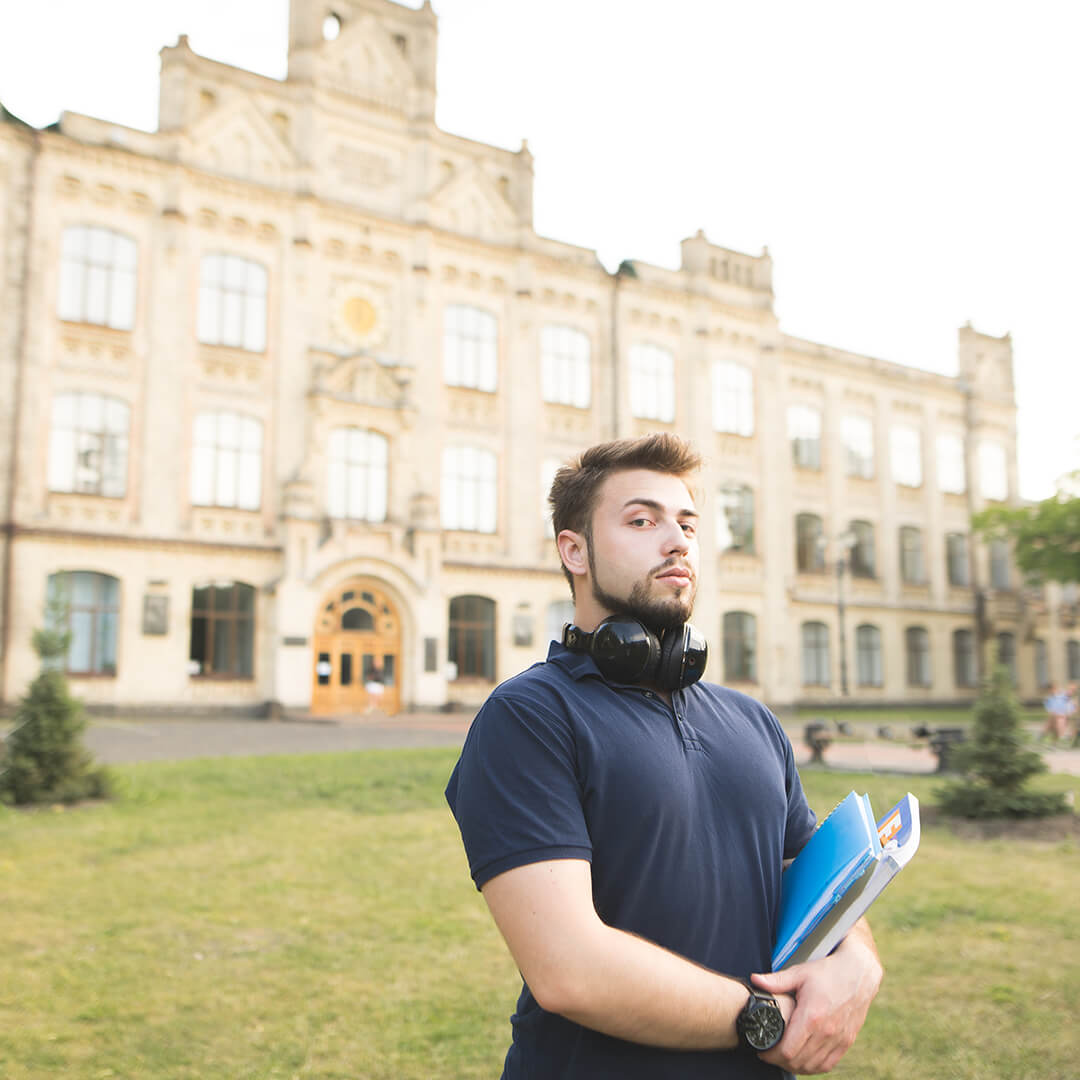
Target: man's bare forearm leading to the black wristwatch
point(603, 978)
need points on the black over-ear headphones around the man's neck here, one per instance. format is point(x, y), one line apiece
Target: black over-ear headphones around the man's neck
point(628, 652)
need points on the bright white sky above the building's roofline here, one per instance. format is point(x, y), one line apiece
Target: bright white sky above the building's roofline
point(910, 167)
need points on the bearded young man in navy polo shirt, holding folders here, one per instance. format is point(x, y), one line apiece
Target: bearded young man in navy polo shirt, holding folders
point(629, 834)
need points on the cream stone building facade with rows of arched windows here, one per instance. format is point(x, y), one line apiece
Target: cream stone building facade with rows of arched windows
point(286, 382)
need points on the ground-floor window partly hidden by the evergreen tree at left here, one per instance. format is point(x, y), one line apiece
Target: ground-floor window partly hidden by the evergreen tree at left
point(88, 606)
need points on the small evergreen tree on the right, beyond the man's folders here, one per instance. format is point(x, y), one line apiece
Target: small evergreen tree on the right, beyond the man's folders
point(997, 764)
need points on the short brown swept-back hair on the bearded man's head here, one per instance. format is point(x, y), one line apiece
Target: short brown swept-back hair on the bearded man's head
point(574, 492)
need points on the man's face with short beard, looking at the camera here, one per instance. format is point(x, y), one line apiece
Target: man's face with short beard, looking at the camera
point(643, 550)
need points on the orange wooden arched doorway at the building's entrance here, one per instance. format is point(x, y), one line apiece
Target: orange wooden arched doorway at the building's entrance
point(358, 638)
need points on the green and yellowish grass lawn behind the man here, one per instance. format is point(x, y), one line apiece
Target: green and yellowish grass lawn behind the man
point(313, 917)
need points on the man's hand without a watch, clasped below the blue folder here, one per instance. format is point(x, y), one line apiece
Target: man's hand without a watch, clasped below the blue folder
point(832, 998)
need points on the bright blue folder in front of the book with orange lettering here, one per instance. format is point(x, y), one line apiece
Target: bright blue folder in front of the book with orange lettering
point(834, 860)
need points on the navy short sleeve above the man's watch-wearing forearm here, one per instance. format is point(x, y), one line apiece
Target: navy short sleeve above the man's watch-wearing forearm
point(516, 792)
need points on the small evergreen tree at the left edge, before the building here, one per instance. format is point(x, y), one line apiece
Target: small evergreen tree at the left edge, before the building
point(44, 760)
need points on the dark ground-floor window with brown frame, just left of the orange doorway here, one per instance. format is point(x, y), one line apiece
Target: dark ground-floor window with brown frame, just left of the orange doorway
point(223, 630)
